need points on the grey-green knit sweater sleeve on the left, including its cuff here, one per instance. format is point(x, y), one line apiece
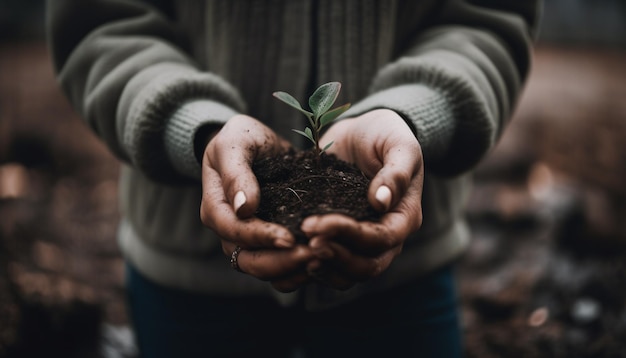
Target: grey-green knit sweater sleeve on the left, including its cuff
point(125, 68)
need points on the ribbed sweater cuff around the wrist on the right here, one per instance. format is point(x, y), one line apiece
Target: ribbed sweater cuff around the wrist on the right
point(426, 111)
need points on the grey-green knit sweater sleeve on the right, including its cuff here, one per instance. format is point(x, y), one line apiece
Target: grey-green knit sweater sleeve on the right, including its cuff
point(456, 83)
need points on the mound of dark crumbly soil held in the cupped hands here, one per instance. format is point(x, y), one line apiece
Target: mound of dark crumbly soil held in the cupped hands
point(296, 185)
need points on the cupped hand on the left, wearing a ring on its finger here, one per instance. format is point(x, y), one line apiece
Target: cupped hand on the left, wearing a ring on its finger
point(231, 195)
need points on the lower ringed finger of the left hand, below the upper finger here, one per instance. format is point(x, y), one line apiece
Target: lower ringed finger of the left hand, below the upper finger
point(268, 265)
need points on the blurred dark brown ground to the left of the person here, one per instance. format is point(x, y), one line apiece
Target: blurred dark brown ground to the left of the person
point(60, 271)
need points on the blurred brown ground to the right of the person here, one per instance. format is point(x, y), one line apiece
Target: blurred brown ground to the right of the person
point(546, 270)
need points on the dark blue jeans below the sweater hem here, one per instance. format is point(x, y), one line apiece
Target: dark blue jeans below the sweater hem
point(419, 319)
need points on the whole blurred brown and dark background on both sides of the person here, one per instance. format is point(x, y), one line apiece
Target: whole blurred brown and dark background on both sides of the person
point(545, 275)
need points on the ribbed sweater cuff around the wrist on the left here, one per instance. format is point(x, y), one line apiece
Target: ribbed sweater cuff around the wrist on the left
point(182, 127)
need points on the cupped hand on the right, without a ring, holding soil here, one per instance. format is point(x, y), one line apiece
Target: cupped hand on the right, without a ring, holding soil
point(382, 145)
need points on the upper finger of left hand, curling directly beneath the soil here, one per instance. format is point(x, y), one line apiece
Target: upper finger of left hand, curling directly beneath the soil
point(218, 214)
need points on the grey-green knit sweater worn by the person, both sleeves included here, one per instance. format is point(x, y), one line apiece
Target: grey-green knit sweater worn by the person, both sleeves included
point(147, 76)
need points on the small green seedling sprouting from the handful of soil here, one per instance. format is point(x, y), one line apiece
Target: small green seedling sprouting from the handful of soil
point(320, 103)
